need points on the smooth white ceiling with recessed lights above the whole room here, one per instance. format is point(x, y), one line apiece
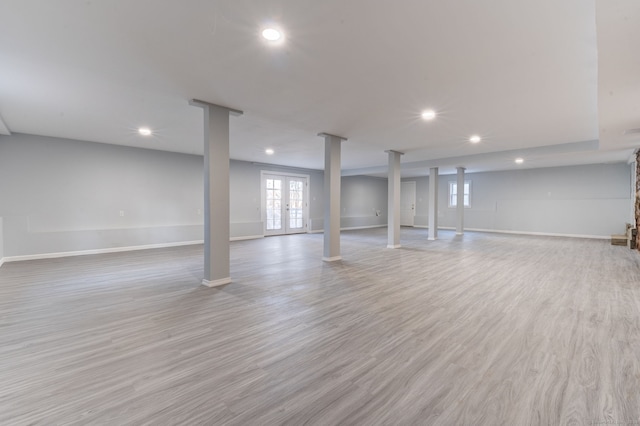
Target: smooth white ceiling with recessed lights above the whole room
point(555, 82)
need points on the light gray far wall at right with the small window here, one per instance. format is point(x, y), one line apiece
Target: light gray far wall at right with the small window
point(591, 200)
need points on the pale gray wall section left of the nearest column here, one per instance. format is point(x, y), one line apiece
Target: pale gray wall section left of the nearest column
point(64, 196)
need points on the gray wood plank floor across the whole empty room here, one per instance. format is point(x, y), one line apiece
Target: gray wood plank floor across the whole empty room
point(483, 329)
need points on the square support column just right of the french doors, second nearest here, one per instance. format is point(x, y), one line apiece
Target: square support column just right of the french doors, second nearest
point(332, 177)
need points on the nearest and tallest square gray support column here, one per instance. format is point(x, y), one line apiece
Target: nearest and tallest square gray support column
point(216, 193)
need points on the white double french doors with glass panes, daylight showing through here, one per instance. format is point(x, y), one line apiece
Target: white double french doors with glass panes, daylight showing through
point(285, 204)
